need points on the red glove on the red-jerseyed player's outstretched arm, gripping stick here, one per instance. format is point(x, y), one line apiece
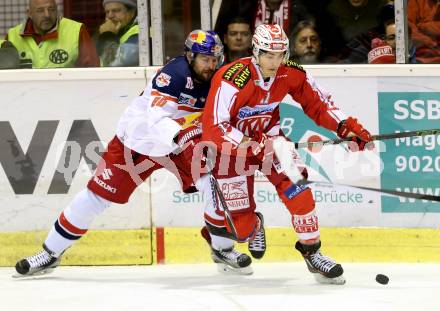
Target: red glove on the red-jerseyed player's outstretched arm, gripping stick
point(351, 127)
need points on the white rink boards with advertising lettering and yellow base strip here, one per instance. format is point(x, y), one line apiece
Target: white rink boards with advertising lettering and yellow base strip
point(41, 110)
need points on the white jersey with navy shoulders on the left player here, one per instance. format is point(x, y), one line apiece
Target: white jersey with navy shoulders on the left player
point(148, 124)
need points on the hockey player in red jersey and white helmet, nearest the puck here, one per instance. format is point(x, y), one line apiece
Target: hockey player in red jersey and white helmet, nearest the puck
point(240, 119)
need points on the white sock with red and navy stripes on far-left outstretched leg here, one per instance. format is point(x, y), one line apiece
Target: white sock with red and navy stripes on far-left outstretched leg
point(75, 220)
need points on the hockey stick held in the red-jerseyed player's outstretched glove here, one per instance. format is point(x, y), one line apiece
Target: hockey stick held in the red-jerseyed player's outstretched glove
point(336, 141)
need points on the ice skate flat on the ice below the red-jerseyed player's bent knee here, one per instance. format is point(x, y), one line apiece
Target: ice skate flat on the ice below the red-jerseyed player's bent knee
point(230, 261)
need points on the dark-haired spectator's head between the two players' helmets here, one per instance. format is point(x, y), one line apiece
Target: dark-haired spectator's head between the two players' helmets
point(237, 39)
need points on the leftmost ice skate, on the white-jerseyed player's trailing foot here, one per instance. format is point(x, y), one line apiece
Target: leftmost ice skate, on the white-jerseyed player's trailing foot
point(41, 263)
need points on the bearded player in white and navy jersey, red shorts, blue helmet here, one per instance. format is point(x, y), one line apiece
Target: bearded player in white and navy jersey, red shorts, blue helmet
point(150, 135)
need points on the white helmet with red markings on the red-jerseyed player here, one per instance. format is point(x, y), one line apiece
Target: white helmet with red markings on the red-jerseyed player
point(270, 38)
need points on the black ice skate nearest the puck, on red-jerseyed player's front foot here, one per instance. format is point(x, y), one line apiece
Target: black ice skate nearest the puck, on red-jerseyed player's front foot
point(324, 269)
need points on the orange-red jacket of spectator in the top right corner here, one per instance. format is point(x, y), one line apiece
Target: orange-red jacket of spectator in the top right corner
point(424, 22)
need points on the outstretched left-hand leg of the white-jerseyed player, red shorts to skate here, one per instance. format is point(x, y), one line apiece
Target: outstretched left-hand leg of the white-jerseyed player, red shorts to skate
point(110, 183)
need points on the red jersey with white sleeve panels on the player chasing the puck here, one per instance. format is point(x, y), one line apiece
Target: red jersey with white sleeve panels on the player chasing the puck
point(241, 103)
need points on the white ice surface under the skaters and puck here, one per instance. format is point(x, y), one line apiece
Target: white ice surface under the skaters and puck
point(272, 287)
